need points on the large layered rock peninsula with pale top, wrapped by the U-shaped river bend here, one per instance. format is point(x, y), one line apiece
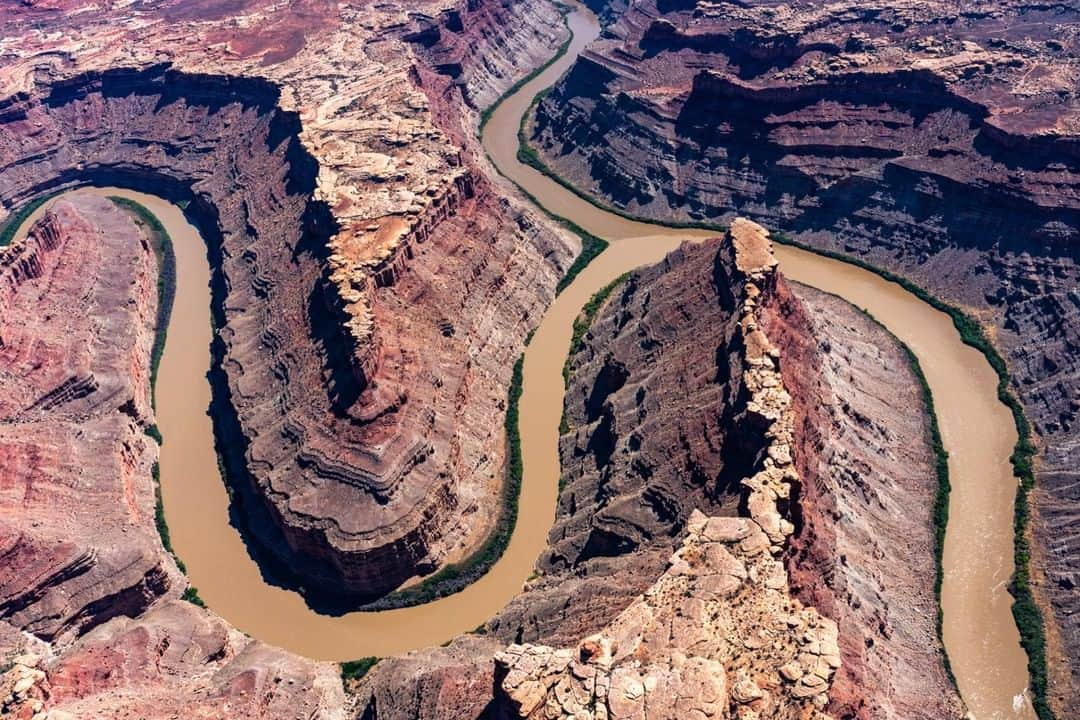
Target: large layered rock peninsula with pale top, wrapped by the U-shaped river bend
point(371, 290)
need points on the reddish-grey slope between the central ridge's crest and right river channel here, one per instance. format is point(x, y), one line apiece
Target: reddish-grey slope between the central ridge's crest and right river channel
point(863, 553)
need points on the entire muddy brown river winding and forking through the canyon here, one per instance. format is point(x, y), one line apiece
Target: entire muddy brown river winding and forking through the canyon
point(981, 637)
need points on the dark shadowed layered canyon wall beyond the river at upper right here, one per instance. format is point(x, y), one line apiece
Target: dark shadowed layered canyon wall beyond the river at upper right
point(930, 139)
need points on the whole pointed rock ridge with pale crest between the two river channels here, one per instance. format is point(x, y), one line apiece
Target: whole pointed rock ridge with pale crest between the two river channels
point(663, 609)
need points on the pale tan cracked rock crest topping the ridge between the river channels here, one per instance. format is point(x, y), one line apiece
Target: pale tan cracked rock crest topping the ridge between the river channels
point(719, 635)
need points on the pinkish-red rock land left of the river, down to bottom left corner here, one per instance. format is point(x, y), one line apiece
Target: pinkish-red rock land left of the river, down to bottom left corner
point(90, 621)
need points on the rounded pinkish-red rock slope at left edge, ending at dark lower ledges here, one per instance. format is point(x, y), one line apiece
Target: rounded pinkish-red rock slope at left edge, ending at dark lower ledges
point(72, 434)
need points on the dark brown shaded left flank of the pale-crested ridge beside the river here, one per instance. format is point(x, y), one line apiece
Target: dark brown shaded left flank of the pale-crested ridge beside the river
point(657, 428)
